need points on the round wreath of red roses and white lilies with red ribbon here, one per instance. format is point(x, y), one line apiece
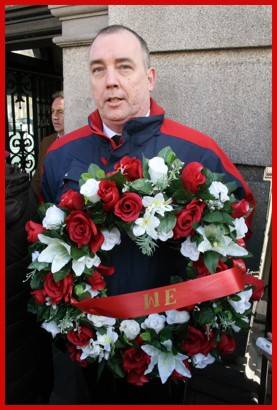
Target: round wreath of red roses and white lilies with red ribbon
point(152, 201)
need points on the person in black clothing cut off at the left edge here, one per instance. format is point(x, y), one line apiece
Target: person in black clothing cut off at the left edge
point(28, 353)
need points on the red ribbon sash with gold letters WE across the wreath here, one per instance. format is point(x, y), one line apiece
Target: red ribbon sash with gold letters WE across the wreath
point(156, 300)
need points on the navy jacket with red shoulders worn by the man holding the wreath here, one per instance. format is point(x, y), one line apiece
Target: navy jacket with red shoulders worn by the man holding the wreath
point(70, 156)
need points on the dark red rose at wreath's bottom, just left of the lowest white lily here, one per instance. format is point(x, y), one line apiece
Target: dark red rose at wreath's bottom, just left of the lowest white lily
point(135, 362)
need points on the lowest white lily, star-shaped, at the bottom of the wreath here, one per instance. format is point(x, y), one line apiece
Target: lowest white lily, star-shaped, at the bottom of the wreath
point(167, 362)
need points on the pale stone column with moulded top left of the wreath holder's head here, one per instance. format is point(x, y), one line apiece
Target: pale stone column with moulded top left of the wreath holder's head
point(79, 26)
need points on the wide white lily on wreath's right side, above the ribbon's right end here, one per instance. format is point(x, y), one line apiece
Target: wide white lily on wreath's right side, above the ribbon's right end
point(219, 243)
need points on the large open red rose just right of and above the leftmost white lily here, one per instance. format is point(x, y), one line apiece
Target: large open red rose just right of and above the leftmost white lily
point(80, 228)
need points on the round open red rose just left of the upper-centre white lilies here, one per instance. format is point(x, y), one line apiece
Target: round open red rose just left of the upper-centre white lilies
point(128, 207)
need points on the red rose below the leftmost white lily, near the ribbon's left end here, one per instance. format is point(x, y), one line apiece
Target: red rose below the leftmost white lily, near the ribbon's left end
point(58, 291)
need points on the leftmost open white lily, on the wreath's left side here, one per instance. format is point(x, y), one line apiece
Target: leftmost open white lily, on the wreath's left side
point(57, 252)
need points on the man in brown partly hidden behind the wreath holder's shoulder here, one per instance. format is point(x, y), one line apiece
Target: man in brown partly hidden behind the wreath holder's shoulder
point(57, 118)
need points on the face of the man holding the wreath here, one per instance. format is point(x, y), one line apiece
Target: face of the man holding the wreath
point(121, 83)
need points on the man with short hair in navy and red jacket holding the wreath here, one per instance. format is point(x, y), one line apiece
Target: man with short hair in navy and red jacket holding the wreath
point(122, 80)
